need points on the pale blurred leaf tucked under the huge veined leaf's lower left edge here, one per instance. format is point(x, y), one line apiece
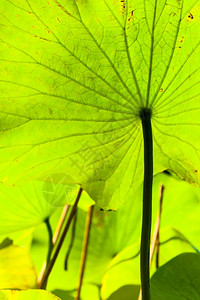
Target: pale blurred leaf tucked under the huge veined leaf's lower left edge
point(32, 203)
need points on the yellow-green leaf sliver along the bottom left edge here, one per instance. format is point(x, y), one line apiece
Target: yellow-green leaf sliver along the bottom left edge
point(29, 294)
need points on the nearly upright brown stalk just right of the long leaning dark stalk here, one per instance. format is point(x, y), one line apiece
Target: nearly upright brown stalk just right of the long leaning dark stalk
point(84, 251)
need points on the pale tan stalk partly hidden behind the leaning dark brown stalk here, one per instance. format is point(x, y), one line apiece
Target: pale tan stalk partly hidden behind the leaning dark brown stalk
point(55, 238)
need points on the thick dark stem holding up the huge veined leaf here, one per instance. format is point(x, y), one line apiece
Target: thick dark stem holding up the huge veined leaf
point(145, 116)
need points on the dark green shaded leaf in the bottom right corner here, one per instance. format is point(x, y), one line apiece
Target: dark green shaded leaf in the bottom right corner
point(178, 279)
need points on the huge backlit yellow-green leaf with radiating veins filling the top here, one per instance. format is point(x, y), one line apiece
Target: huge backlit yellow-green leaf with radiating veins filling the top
point(74, 76)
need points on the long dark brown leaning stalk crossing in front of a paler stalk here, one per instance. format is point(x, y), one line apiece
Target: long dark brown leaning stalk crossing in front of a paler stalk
point(60, 242)
